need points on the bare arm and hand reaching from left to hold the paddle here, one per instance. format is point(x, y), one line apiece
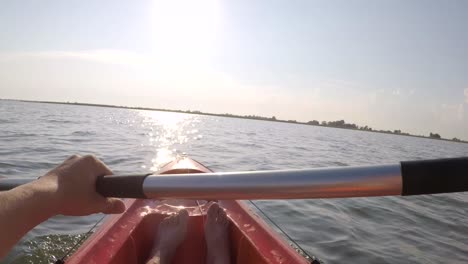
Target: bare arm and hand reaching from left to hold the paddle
point(68, 189)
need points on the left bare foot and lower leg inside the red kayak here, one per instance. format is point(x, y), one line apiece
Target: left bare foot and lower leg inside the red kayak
point(171, 234)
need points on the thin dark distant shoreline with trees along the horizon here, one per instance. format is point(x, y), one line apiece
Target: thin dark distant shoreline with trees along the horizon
point(339, 124)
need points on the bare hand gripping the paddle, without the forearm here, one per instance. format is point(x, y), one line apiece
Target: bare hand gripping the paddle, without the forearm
point(72, 186)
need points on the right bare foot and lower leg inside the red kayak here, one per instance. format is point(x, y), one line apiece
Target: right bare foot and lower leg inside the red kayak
point(216, 235)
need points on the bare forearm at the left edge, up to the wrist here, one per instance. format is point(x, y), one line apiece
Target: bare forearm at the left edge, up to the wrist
point(21, 209)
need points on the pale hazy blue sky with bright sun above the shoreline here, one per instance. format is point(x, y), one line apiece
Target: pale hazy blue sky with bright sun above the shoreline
point(386, 64)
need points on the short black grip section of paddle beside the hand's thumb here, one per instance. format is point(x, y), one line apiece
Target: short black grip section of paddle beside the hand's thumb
point(122, 186)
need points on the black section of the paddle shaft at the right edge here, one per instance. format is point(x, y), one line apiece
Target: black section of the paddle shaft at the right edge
point(435, 176)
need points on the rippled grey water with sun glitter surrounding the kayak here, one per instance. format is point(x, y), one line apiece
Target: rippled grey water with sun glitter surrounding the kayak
point(425, 229)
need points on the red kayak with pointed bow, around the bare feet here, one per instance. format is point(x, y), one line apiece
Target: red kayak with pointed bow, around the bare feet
point(128, 237)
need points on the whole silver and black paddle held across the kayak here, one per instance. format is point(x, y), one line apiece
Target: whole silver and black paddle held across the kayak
point(406, 178)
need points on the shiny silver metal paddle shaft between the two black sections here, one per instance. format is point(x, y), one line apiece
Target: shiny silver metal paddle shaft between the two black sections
point(283, 184)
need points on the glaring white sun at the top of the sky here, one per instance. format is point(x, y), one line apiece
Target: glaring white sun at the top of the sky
point(185, 30)
